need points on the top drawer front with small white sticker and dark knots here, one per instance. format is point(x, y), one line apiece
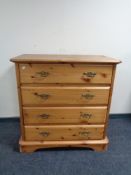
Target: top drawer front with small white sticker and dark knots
point(65, 73)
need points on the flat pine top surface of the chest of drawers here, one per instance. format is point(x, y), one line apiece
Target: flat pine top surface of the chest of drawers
point(42, 58)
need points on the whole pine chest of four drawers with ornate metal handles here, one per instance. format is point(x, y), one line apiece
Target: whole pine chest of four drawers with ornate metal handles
point(64, 100)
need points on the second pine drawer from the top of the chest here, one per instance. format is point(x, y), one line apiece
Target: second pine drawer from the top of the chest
point(64, 95)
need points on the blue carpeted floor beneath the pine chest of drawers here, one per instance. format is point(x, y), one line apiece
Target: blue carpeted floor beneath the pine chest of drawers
point(115, 161)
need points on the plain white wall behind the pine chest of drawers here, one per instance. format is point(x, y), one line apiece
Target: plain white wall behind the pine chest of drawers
point(65, 27)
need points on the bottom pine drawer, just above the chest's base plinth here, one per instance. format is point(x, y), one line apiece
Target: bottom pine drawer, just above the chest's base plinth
point(64, 132)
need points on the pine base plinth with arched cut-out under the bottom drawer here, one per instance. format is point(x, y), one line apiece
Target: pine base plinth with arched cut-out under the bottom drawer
point(30, 146)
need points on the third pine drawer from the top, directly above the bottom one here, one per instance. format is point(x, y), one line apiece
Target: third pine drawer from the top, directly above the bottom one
point(64, 115)
